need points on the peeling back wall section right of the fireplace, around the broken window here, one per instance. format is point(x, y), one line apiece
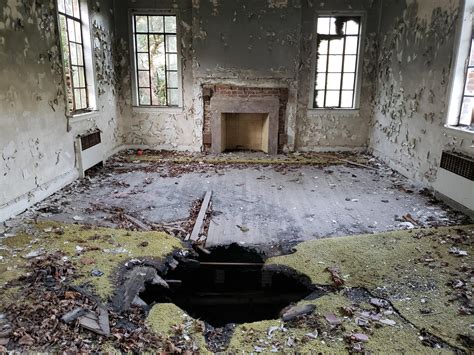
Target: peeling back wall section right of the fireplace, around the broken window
point(335, 129)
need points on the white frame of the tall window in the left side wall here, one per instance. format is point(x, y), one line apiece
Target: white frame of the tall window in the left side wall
point(88, 64)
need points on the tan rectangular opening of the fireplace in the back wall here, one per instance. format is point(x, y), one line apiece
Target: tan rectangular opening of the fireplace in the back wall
point(245, 131)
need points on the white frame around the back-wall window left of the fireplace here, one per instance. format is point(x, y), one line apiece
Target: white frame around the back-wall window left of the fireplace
point(133, 59)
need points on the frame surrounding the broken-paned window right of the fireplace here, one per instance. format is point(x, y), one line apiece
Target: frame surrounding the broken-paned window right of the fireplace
point(359, 64)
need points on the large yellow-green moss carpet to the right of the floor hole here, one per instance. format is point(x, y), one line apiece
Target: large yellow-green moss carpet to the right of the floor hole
point(413, 269)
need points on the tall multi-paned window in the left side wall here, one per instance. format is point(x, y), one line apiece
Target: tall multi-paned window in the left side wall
point(72, 41)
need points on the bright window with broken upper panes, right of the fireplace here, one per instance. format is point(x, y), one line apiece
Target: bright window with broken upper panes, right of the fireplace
point(337, 58)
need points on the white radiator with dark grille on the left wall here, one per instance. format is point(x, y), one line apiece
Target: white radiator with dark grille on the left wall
point(90, 151)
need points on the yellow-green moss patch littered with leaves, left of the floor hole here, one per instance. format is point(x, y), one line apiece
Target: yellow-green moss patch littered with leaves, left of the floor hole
point(88, 248)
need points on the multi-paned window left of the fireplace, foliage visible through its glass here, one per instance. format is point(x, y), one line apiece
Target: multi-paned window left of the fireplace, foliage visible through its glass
point(156, 60)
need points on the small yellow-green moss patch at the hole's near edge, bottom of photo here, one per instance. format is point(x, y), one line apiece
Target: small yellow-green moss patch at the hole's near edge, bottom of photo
point(167, 319)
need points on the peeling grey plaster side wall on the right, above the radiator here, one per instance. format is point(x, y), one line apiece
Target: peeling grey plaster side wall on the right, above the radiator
point(409, 108)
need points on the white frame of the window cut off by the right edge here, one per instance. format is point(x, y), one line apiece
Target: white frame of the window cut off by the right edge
point(459, 69)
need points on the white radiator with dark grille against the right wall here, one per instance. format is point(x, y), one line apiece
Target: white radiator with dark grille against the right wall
point(455, 178)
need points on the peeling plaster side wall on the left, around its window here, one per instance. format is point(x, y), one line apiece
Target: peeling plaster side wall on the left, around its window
point(36, 142)
